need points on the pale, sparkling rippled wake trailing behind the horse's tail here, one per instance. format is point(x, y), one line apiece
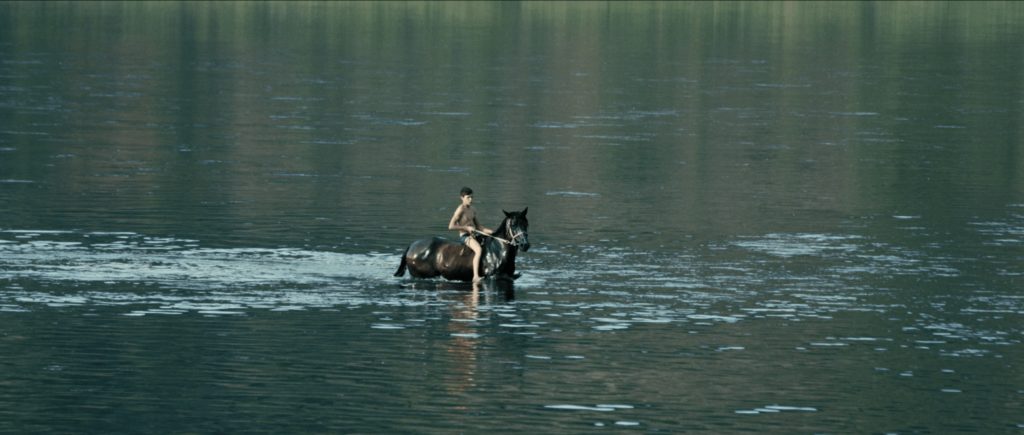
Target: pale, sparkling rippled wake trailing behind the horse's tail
point(68, 269)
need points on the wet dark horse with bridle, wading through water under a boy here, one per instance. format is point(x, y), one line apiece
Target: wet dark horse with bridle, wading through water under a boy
point(434, 257)
